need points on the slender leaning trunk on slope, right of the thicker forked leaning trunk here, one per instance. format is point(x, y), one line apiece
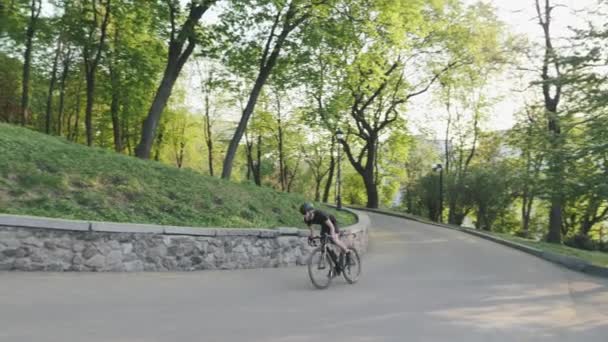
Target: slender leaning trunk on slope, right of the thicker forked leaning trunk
point(267, 63)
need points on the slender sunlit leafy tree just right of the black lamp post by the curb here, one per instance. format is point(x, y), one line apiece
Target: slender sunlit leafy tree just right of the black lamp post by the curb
point(480, 41)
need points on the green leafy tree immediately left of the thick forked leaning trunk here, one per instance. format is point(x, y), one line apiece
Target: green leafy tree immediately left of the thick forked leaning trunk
point(133, 62)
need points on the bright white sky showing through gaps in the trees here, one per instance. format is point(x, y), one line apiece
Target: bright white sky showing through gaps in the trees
point(426, 116)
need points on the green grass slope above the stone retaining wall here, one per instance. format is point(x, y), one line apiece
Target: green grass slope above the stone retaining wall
point(47, 176)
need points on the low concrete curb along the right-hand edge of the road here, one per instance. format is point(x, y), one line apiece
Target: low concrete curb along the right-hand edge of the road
point(570, 262)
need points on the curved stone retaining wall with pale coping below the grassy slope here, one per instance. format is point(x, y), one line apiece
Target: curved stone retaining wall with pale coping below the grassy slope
point(40, 244)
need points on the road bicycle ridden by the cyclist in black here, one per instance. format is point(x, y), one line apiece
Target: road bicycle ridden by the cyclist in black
point(324, 263)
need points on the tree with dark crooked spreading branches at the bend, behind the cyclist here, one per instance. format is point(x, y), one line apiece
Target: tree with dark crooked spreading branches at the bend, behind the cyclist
point(375, 88)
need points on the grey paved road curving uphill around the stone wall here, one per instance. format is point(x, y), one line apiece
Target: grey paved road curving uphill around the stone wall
point(420, 283)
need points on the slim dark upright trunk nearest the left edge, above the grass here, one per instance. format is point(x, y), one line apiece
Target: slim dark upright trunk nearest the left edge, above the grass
point(35, 8)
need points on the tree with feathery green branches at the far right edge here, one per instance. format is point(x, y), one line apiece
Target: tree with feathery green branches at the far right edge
point(585, 193)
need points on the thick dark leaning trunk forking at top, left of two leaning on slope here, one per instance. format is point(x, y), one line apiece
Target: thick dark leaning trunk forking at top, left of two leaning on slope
point(177, 57)
